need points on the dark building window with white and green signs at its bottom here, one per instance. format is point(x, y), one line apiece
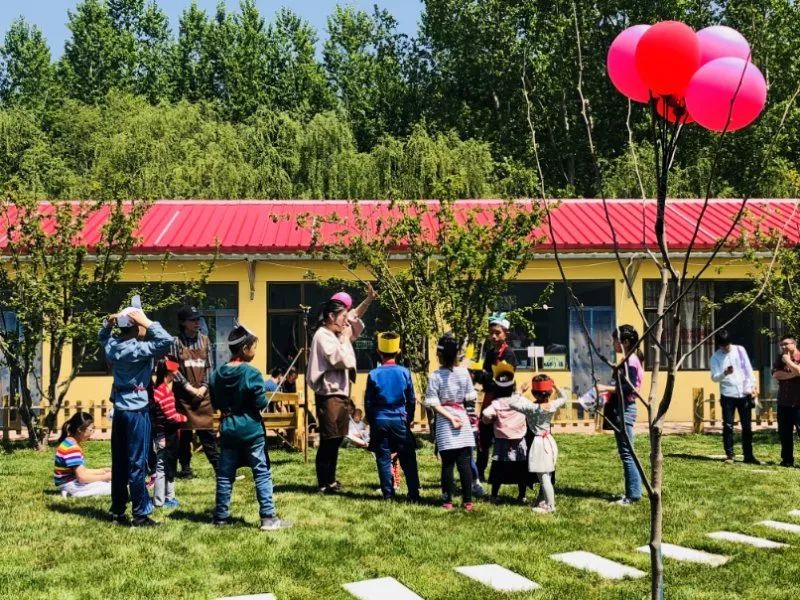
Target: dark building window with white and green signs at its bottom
point(555, 330)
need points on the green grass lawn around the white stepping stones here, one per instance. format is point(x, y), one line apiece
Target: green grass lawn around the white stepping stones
point(56, 548)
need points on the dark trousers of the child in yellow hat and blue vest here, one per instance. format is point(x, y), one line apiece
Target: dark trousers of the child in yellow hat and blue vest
point(393, 435)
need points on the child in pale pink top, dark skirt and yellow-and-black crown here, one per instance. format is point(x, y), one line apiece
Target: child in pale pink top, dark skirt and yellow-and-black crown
point(510, 453)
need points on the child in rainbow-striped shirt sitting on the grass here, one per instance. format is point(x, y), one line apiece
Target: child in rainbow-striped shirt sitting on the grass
point(70, 475)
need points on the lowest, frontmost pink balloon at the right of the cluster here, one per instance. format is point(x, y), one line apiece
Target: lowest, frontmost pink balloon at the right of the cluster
point(714, 86)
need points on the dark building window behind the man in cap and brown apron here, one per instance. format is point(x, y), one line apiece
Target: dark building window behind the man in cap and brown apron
point(219, 310)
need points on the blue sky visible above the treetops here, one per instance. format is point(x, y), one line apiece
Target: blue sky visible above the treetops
point(51, 15)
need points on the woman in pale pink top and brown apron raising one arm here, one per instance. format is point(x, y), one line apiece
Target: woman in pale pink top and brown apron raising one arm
point(331, 372)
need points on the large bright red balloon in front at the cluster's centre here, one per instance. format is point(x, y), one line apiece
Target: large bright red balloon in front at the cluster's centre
point(667, 56)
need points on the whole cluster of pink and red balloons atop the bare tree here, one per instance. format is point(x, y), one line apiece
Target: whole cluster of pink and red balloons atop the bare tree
point(704, 77)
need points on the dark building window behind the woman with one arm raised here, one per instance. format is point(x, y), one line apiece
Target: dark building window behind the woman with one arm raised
point(285, 322)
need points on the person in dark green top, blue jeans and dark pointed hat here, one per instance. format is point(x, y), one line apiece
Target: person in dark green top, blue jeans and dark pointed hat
point(238, 391)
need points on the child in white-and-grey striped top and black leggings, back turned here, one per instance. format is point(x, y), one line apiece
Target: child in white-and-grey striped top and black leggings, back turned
point(448, 390)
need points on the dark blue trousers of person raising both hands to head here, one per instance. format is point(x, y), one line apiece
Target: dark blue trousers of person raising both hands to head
point(130, 444)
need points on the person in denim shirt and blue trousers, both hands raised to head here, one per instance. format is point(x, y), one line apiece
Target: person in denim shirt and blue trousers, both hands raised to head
point(131, 355)
